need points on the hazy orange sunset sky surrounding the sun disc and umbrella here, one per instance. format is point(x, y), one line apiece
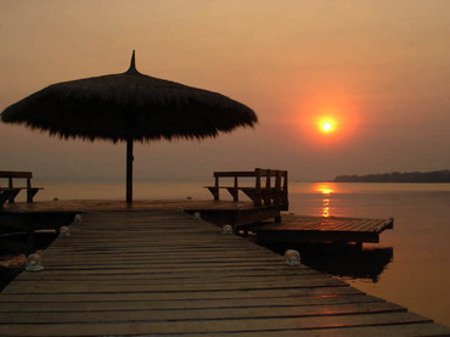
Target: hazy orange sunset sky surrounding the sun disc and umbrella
point(380, 68)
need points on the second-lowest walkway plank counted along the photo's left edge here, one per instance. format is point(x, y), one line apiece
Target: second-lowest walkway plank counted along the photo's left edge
point(196, 314)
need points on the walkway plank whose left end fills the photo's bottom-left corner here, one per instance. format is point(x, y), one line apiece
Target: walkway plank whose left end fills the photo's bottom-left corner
point(209, 326)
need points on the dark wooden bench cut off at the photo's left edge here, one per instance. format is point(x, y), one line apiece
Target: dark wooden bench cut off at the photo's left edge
point(9, 193)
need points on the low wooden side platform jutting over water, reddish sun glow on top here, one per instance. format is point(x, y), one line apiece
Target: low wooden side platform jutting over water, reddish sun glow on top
point(320, 229)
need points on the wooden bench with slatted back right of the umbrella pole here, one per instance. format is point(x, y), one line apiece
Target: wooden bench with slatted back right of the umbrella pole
point(270, 187)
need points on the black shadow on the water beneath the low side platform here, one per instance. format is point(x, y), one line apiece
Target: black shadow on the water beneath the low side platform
point(340, 260)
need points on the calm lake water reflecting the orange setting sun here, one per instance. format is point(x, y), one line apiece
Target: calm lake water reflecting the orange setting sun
point(410, 266)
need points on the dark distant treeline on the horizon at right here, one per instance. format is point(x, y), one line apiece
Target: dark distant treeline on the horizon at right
point(442, 176)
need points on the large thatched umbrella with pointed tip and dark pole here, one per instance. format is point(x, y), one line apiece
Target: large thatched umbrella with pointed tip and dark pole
point(128, 107)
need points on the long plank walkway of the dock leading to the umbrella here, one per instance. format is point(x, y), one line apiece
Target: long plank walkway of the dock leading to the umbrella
point(166, 273)
